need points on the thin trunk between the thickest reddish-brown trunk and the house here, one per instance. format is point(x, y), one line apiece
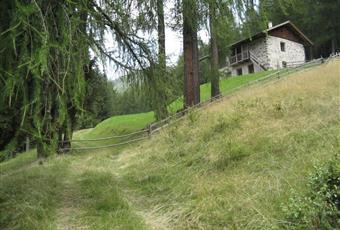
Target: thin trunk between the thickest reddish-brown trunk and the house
point(215, 81)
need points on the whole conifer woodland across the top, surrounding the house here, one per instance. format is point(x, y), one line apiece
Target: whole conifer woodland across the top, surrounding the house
point(50, 85)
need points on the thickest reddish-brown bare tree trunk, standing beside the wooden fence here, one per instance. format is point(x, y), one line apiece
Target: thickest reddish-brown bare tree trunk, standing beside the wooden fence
point(190, 48)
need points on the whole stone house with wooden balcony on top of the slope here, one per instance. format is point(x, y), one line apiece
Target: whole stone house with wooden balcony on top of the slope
point(277, 47)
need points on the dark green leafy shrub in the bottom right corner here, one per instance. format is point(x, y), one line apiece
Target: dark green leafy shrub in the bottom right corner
point(320, 207)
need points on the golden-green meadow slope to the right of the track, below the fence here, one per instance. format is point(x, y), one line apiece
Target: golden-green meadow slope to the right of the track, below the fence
point(238, 162)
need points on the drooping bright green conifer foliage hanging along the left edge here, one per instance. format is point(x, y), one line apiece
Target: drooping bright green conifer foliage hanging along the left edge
point(42, 66)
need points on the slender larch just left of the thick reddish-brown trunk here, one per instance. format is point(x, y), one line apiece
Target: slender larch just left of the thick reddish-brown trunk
point(150, 19)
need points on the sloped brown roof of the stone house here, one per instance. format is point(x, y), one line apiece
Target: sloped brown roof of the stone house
point(306, 41)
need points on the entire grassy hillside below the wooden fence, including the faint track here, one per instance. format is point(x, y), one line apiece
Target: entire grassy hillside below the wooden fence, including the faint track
point(233, 165)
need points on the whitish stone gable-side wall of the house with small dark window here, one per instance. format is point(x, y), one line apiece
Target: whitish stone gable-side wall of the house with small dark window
point(294, 52)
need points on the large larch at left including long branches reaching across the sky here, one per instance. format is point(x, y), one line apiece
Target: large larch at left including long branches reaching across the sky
point(44, 47)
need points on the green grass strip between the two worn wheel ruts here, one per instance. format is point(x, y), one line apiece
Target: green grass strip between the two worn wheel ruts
point(104, 205)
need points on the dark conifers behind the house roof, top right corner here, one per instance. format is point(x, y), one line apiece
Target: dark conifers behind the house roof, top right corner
point(308, 15)
